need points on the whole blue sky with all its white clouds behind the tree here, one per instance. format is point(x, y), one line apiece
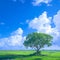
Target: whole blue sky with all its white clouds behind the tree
point(21, 17)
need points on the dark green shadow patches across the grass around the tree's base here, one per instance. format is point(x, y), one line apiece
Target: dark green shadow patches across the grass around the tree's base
point(12, 57)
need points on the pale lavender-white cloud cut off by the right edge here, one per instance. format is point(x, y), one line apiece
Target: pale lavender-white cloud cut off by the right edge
point(56, 20)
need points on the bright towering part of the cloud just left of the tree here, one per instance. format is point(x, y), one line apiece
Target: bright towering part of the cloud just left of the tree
point(16, 38)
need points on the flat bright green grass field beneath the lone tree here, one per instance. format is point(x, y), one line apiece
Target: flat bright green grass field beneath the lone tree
point(24, 55)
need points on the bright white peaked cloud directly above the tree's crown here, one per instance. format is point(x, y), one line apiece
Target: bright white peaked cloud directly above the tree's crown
point(41, 24)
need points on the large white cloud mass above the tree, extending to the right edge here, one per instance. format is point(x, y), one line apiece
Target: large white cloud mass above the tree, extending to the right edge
point(43, 24)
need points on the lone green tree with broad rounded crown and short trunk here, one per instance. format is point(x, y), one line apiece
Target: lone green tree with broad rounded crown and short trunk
point(37, 41)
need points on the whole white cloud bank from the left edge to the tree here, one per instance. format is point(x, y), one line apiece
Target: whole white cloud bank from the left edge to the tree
point(16, 39)
